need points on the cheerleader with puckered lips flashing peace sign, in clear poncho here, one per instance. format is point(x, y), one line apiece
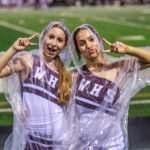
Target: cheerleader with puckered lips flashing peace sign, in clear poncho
point(104, 86)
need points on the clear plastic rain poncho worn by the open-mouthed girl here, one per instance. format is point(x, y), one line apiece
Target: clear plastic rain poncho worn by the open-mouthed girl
point(40, 122)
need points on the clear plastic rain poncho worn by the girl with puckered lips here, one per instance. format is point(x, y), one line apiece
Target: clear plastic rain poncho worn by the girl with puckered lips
point(102, 104)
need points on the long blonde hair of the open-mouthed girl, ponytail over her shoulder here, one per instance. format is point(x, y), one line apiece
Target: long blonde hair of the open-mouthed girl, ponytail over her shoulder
point(64, 80)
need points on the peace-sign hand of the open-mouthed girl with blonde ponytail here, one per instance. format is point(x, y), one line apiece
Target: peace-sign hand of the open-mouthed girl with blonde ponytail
point(22, 43)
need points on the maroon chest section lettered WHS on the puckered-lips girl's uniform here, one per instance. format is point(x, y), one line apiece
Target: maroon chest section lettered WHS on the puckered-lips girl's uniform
point(93, 91)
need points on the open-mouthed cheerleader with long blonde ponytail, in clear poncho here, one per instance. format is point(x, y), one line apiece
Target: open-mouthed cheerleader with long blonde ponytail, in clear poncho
point(44, 90)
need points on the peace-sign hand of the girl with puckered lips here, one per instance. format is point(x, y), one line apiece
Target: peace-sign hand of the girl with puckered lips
point(116, 47)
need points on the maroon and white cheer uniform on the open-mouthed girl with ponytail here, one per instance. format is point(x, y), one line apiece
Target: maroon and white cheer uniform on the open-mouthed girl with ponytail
point(45, 121)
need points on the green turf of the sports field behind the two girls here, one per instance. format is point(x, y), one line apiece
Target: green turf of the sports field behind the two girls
point(113, 23)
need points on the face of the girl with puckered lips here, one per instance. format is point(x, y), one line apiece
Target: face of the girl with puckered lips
point(87, 43)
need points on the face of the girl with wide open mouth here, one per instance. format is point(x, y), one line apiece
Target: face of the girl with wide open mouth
point(54, 42)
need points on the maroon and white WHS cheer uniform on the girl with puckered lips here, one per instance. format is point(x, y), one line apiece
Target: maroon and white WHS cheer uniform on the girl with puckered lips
point(96, 94)
